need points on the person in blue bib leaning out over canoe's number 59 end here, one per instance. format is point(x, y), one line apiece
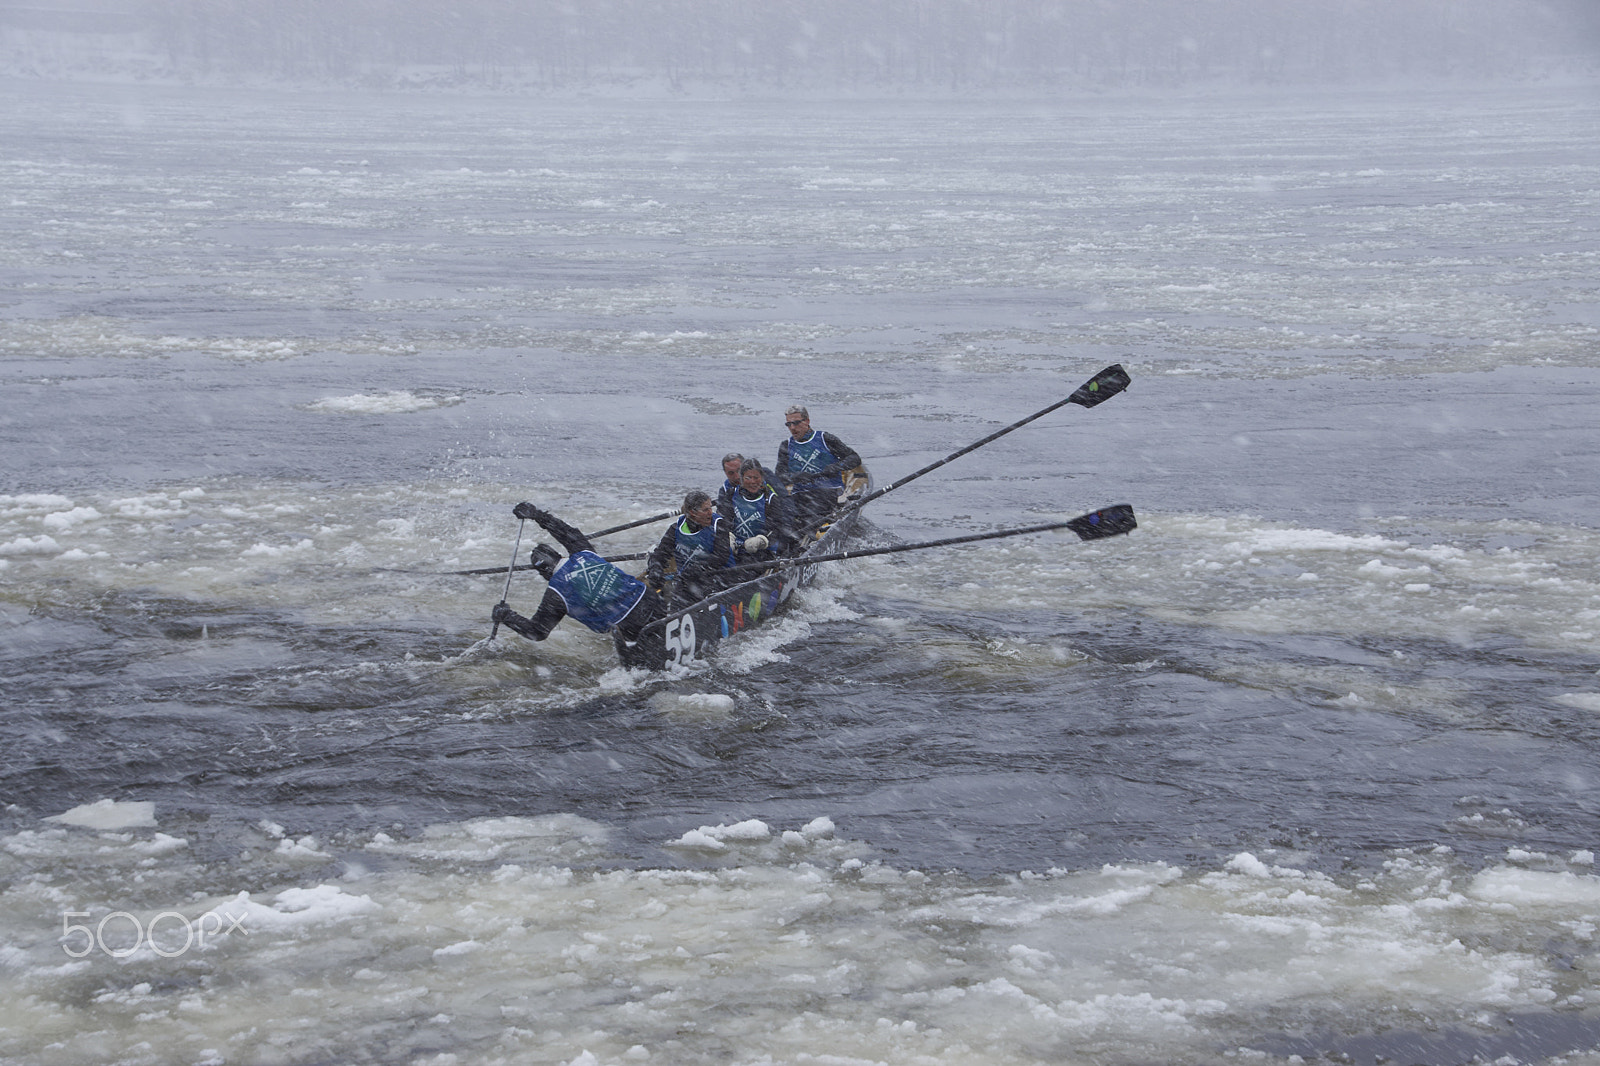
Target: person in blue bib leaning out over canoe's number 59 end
point(583, 585)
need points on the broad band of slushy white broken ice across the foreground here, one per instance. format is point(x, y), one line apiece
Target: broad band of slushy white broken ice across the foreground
point(510, 929)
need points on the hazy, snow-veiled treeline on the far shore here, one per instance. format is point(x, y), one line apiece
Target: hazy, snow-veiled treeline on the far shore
point(956, 46)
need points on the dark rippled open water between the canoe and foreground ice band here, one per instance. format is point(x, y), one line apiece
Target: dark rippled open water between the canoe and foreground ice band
point(1153, 742)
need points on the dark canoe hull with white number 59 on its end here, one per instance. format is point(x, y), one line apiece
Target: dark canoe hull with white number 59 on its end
point(692, 636)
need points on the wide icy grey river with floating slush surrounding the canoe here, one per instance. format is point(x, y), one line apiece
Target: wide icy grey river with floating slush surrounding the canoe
point(1306, 769)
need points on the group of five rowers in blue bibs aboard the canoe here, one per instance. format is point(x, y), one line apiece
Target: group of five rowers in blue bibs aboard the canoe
point(753, 519)
